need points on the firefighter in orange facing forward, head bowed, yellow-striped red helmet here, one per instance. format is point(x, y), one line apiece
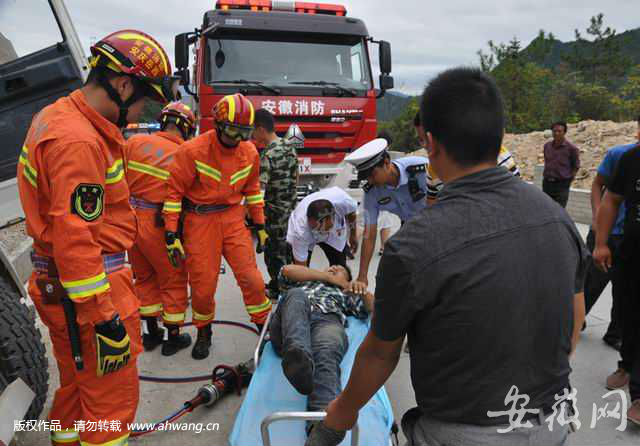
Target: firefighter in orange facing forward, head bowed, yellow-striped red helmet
point(209, 178)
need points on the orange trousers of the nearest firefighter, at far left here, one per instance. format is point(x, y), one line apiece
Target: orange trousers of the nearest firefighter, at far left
point(84, 398)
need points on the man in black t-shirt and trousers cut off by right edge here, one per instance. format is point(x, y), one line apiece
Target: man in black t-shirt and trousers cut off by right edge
point(625, 186)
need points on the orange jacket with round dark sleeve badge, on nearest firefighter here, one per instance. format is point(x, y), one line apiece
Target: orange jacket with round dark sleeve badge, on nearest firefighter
point(76, 202)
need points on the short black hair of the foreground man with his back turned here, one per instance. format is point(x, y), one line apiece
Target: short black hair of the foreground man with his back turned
point(462, 108)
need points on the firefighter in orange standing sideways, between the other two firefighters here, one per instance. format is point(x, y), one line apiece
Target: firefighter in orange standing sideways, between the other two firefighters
point(162, 290)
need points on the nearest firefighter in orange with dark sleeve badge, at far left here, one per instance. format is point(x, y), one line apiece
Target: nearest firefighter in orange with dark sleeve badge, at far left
point(76, 202)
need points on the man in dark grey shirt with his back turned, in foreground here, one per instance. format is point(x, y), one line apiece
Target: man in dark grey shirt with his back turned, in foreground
point(483, 320)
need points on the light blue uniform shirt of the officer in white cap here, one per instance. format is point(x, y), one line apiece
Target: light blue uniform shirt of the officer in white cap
point(396, 200)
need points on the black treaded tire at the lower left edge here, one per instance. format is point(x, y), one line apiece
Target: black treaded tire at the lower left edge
point(22, 354)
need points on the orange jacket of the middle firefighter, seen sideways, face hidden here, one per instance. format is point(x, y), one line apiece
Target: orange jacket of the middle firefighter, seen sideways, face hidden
point(148, 158)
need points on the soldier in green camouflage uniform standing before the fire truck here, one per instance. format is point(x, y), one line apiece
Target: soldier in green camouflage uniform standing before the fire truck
point(278, 179)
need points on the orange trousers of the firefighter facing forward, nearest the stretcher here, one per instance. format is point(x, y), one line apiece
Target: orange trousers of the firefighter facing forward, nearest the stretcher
point(206, 239)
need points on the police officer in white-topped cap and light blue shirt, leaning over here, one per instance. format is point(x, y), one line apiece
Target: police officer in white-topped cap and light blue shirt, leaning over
point(397, 186)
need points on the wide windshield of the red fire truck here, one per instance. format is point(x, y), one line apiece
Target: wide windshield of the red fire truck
point(285, 64)
